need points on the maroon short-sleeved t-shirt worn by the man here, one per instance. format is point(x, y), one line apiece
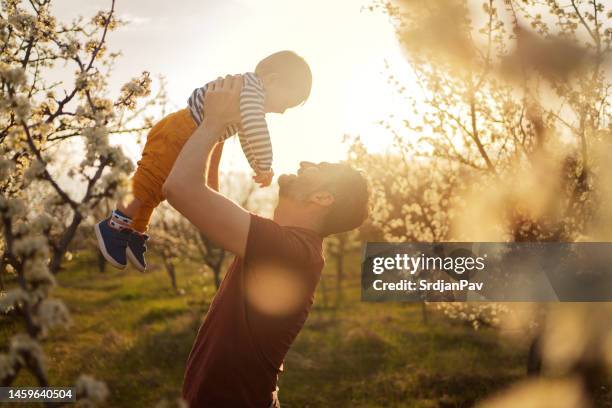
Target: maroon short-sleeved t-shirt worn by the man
point(254, 318)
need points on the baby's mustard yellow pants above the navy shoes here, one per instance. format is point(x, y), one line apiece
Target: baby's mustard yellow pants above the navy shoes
point(164, 142)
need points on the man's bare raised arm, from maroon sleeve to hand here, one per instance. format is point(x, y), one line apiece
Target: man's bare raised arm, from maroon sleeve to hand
point(219, 218)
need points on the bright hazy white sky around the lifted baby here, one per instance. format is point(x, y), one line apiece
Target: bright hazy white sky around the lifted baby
point(194, 41)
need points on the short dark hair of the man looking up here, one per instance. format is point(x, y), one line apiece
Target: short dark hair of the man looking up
point(350, 207)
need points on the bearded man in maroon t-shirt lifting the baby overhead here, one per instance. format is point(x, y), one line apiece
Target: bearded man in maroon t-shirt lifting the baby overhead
point(267, 292)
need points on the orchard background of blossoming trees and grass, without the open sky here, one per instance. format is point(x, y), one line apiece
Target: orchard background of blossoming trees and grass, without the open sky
point(504, 133)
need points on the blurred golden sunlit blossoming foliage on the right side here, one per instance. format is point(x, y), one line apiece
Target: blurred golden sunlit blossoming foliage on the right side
point(506, 137)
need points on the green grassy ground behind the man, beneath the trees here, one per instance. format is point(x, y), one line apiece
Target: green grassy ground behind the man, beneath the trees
point(134, 332)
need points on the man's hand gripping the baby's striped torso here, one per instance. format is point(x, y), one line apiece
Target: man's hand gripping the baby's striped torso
point(222, 102)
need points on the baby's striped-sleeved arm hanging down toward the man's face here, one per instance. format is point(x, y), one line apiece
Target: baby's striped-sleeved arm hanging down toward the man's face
point(254, 136)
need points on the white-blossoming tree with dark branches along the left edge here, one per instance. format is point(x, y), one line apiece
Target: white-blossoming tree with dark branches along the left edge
point(44, 198)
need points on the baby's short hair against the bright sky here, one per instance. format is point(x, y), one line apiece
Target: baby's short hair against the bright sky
point(292, 69)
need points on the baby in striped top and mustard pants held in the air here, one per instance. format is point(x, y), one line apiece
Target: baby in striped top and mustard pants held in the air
point(280, 81)
